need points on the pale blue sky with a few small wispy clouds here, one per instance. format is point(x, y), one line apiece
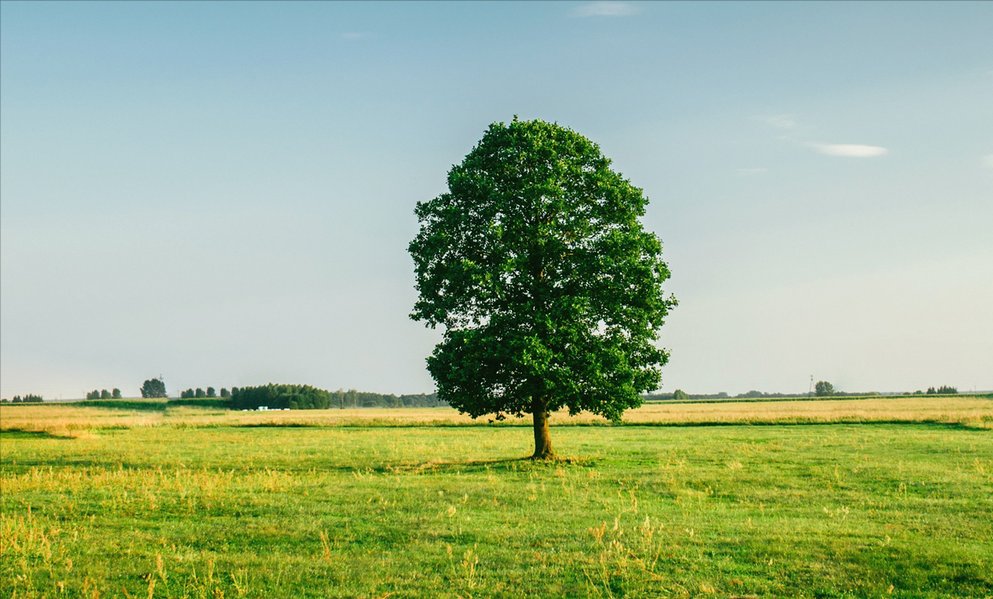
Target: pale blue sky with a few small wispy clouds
point(222, 193)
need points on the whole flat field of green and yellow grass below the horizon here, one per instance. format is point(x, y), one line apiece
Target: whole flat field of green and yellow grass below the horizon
point(875, 497)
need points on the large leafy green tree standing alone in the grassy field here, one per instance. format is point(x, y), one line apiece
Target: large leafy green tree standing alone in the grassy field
point(549, 290)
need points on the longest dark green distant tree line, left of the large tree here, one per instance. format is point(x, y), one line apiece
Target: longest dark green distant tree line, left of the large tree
point(306, 397)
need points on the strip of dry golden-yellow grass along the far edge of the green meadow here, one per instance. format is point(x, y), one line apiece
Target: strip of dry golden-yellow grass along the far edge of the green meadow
point(75, 420)
